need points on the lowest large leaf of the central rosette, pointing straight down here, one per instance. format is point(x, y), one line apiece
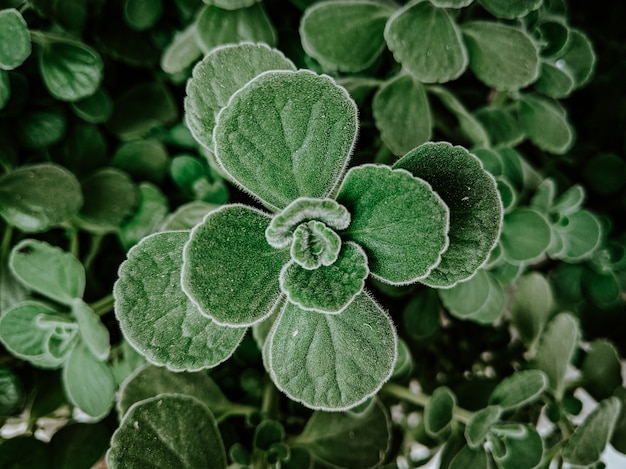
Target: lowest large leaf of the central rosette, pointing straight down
point(332, 361)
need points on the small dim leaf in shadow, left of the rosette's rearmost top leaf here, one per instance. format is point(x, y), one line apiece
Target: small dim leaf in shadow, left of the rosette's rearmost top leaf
point(142, 159)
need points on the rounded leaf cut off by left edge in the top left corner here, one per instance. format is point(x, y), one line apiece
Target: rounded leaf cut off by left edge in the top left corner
point(15, 39)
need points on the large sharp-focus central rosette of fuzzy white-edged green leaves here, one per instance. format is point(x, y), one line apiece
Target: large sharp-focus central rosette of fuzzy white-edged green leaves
point(286, 137)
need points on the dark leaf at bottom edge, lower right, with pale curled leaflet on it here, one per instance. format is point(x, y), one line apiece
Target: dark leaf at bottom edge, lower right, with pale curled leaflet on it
point(515, 446)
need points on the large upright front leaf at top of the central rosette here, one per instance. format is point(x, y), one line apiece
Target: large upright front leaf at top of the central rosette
point(286, 135)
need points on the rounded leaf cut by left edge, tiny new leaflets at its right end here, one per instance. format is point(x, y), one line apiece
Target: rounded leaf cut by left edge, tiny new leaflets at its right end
point(30, 329)
